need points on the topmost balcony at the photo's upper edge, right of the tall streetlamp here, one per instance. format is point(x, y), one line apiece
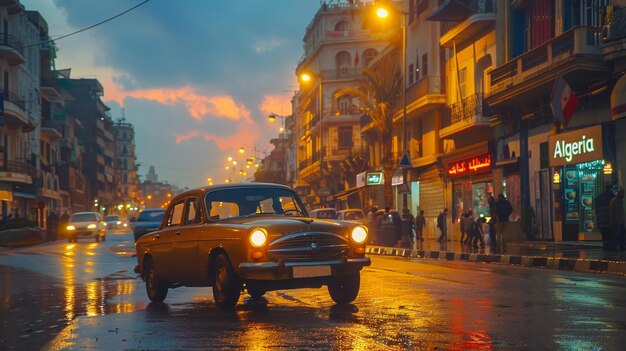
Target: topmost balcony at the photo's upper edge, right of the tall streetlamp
point(473, 18)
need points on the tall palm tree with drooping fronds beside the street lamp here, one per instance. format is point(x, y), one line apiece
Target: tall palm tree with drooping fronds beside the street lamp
point(378, 94)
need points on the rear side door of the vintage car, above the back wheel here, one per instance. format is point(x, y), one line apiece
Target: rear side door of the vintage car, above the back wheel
point(166, 261)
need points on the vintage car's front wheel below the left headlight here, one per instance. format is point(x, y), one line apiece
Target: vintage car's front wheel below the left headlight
point(226, 285)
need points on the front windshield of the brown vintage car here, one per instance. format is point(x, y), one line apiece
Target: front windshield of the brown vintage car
point(240, 202)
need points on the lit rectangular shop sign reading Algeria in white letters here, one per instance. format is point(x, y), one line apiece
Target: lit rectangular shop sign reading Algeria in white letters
point(583, 145)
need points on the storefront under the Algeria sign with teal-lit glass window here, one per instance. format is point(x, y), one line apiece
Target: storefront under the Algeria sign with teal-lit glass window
point(580, 173)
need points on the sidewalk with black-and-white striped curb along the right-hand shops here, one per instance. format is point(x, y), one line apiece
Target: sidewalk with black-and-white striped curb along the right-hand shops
point(572, 255)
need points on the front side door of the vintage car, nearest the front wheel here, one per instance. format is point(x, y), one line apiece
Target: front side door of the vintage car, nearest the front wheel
point(186, 241)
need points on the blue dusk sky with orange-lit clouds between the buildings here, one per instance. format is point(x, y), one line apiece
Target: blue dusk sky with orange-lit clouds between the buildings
point(196, 78)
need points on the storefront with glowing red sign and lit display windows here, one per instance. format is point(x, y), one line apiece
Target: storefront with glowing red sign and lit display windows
point(471, 185)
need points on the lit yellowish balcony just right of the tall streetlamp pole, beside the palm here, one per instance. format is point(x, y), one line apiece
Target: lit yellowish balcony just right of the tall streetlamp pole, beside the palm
point(423, 96)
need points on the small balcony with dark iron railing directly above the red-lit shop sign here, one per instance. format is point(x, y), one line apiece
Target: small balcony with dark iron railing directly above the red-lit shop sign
point(470, 113)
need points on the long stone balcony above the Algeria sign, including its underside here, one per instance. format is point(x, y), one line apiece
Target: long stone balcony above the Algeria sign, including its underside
point(530, 77)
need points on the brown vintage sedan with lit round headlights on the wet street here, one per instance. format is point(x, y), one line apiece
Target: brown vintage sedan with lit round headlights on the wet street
point(252, 236)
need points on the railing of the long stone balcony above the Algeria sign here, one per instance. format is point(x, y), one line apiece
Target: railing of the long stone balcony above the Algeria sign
point(576, 41)
